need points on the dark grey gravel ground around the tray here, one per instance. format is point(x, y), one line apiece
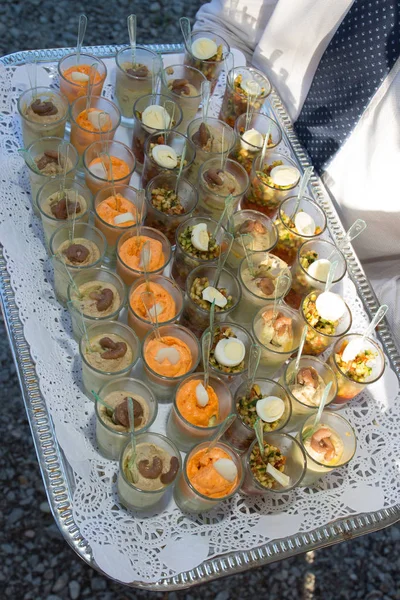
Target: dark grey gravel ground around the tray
point(36, 563)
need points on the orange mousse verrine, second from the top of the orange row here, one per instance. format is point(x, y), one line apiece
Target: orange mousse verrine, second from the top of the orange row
point(83, 131)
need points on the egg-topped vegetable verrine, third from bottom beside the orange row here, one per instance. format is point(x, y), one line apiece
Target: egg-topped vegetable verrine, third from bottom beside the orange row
point(232, 375)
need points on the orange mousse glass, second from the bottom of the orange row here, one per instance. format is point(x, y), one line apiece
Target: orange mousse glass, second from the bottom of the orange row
point(186, 434)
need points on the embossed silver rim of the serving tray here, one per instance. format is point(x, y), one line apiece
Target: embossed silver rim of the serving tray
point(55, 470)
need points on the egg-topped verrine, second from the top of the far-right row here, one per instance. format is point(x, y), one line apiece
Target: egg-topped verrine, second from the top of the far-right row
point(246, 151)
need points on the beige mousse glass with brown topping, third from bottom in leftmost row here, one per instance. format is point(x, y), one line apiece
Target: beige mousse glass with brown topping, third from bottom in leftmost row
point(94, 378)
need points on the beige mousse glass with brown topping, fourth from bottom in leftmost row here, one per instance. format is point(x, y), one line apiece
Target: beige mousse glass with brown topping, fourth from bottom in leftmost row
point(83, 281)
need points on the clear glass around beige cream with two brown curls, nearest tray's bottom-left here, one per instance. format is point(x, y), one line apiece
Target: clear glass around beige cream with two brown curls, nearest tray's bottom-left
point(130, 495)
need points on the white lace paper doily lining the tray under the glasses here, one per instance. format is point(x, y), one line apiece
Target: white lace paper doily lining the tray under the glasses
point(130, 546)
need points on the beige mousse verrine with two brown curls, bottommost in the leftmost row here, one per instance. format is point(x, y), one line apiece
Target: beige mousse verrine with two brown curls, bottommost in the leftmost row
point(132, 495)
